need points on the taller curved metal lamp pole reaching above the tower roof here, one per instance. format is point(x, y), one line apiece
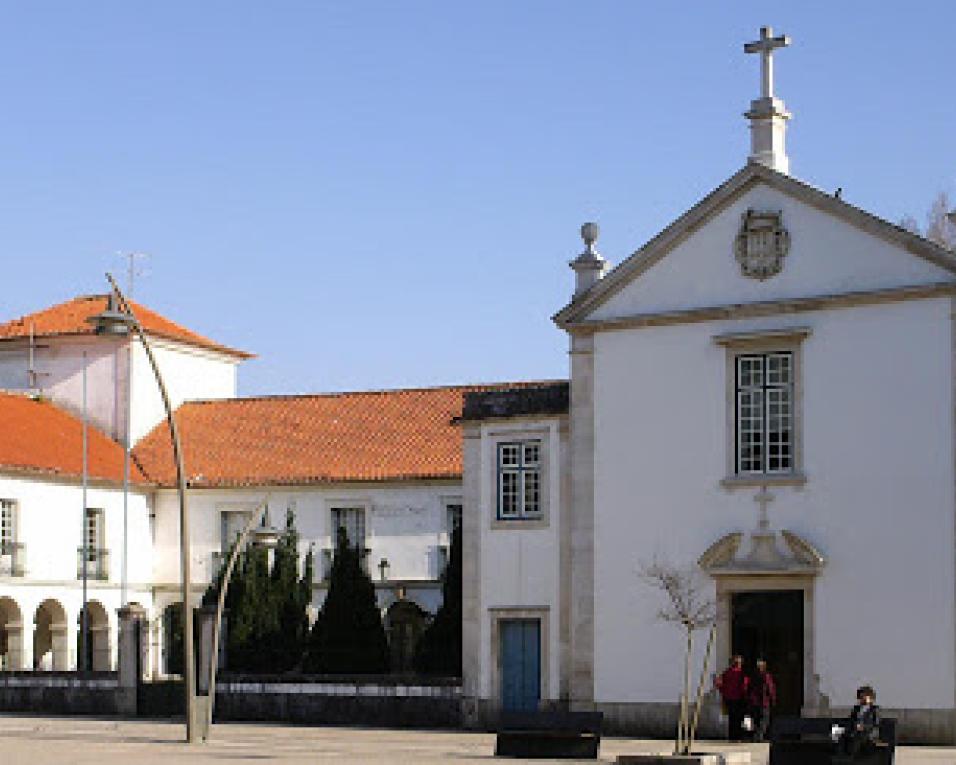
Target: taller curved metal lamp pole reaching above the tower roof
point(189, 662)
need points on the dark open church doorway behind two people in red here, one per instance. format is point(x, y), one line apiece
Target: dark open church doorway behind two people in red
point(769, 625)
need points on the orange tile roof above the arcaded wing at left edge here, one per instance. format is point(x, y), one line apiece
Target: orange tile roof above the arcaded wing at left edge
point(38, 437)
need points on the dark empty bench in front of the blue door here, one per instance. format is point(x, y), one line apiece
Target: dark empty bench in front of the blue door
point(550, 735)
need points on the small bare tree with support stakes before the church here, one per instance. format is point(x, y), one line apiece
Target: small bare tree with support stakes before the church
point(686, 606)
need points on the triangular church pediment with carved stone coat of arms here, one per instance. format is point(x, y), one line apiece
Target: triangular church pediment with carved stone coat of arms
point(761, 237)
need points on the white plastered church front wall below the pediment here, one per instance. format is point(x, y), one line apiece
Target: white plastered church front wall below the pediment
point(878, 502)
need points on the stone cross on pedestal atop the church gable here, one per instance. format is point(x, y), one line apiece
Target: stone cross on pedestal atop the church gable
point(768, 116)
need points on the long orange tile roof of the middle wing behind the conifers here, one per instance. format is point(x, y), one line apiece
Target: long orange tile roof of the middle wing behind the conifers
point(293, 440)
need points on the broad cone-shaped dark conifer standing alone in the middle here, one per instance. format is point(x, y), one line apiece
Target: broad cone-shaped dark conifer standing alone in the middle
point(348, 636)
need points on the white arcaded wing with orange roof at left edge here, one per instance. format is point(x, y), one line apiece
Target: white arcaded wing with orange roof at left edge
point(42, 528)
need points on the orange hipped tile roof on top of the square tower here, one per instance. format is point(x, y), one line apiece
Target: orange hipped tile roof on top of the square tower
point(72, 318)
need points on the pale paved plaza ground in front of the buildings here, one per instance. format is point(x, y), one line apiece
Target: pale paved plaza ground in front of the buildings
point(43, 741)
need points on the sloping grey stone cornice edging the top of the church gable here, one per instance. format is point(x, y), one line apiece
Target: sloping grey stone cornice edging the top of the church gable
point(697, 216)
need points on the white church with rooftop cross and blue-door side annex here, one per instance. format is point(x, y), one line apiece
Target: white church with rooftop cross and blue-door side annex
point(764, 391)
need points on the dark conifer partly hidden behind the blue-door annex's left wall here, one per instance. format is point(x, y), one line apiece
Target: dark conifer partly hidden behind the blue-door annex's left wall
point(439, 648)
